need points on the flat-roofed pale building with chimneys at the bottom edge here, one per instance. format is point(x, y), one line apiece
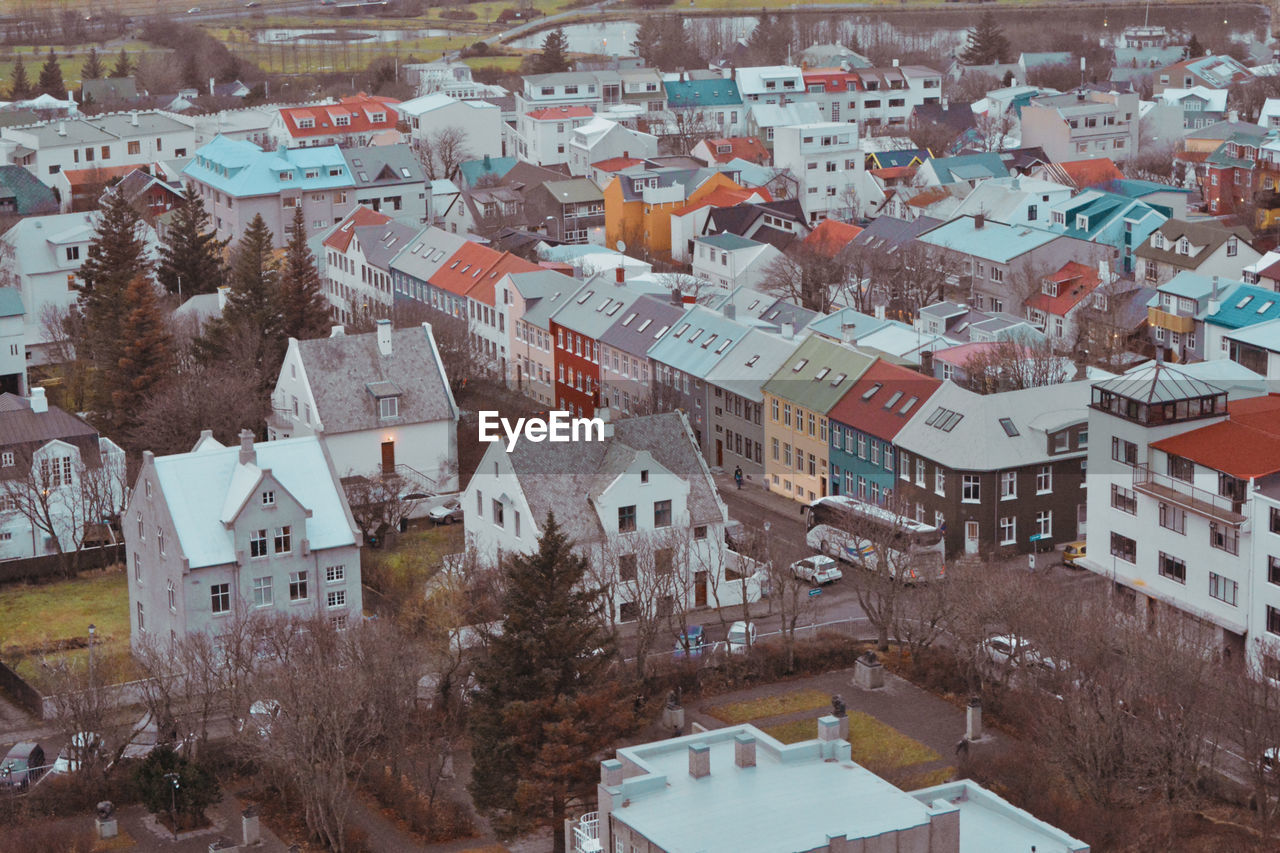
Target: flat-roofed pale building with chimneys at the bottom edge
point(702, 792)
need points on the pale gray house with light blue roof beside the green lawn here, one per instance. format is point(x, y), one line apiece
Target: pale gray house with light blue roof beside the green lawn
point(221, 535)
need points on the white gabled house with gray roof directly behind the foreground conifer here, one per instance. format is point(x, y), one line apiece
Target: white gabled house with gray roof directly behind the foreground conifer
point(638, 500)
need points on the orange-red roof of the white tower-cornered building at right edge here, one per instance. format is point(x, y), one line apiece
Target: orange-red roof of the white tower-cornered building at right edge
point(1246, 445)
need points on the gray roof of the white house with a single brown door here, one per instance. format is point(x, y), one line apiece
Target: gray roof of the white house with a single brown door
point(340, 372)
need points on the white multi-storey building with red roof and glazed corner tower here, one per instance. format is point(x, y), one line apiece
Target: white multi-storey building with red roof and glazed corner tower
point(1183, 507)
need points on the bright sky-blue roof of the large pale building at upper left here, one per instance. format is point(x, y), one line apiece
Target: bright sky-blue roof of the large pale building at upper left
point(240, 168)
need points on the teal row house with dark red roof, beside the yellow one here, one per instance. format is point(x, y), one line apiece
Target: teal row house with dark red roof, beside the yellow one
point(863, 427)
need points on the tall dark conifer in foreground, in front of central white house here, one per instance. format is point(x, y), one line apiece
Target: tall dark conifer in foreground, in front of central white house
point(545, 709)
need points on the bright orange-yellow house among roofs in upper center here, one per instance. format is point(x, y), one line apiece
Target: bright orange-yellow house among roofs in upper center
point(638, 206)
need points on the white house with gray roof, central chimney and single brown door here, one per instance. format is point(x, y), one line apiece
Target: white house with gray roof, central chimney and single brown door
point(381, 402)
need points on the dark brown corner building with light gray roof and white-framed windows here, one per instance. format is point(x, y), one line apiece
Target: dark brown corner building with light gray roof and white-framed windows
point(998, 472)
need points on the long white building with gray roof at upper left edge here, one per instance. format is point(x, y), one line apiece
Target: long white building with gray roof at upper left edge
point(134, 139)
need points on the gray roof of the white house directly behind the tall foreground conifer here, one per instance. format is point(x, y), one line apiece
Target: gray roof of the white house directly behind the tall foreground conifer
point(564, 477)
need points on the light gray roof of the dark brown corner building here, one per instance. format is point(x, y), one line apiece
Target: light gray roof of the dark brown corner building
point(979, 443)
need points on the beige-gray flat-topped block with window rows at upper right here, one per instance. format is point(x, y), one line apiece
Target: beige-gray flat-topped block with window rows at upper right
point(1081, 125)
